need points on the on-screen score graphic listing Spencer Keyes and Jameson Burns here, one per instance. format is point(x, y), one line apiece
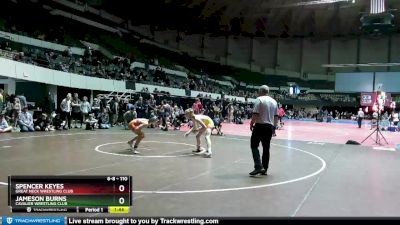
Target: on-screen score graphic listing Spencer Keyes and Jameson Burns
point(75, 194)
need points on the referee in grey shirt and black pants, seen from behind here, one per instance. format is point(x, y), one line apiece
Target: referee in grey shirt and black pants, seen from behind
point(262, 125)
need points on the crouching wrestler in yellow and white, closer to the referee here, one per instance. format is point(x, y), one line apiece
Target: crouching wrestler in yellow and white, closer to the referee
point(202, 124)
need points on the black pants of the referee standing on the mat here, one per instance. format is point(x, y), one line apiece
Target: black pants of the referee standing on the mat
point(261, 133)
